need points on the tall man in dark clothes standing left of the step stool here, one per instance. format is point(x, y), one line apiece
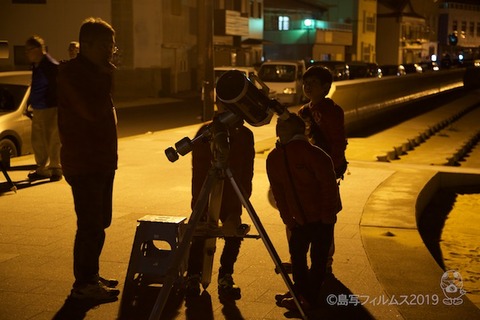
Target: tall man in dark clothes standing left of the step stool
point(88, 132)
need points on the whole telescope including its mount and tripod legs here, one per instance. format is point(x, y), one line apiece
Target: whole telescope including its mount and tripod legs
point(243, 101)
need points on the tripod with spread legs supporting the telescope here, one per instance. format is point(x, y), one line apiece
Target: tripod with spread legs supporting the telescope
point(211, 190)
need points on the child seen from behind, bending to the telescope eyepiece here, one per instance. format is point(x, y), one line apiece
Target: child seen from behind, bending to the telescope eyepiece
point(305, 189)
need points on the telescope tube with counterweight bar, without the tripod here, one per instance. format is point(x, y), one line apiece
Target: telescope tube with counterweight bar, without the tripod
point(243, 101)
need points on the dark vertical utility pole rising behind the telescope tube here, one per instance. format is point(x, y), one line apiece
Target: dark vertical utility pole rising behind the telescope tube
point(205, 56)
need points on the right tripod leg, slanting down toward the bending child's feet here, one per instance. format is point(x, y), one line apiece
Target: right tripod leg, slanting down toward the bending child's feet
point(266, 240)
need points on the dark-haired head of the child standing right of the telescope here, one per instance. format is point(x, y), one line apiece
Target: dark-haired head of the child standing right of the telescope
point(317, 81)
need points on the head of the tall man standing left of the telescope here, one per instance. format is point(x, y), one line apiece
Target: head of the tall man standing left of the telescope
point(97, 41)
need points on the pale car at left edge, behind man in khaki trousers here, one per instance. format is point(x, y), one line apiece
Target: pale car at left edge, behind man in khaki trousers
point(15, 119)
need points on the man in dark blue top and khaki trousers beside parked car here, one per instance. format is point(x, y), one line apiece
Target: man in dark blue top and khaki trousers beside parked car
point(43, 100)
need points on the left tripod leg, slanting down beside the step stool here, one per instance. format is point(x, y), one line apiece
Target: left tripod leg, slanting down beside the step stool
point(183, 247)
